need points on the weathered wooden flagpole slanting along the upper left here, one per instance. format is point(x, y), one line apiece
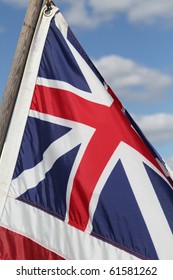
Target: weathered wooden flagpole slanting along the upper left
point(18, 65)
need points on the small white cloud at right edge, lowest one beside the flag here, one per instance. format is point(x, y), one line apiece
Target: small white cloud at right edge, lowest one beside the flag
point(158, 127)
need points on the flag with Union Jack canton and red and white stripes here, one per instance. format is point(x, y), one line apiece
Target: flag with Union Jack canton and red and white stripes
point(78, 179)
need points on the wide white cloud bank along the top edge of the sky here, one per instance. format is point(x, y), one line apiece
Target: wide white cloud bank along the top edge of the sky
point(90, 13)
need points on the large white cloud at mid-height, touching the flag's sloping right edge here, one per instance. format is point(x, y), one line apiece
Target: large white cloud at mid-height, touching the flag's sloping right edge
point(132, 80)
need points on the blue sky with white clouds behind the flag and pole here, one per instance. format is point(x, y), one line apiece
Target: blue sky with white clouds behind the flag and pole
point(131, 43)
